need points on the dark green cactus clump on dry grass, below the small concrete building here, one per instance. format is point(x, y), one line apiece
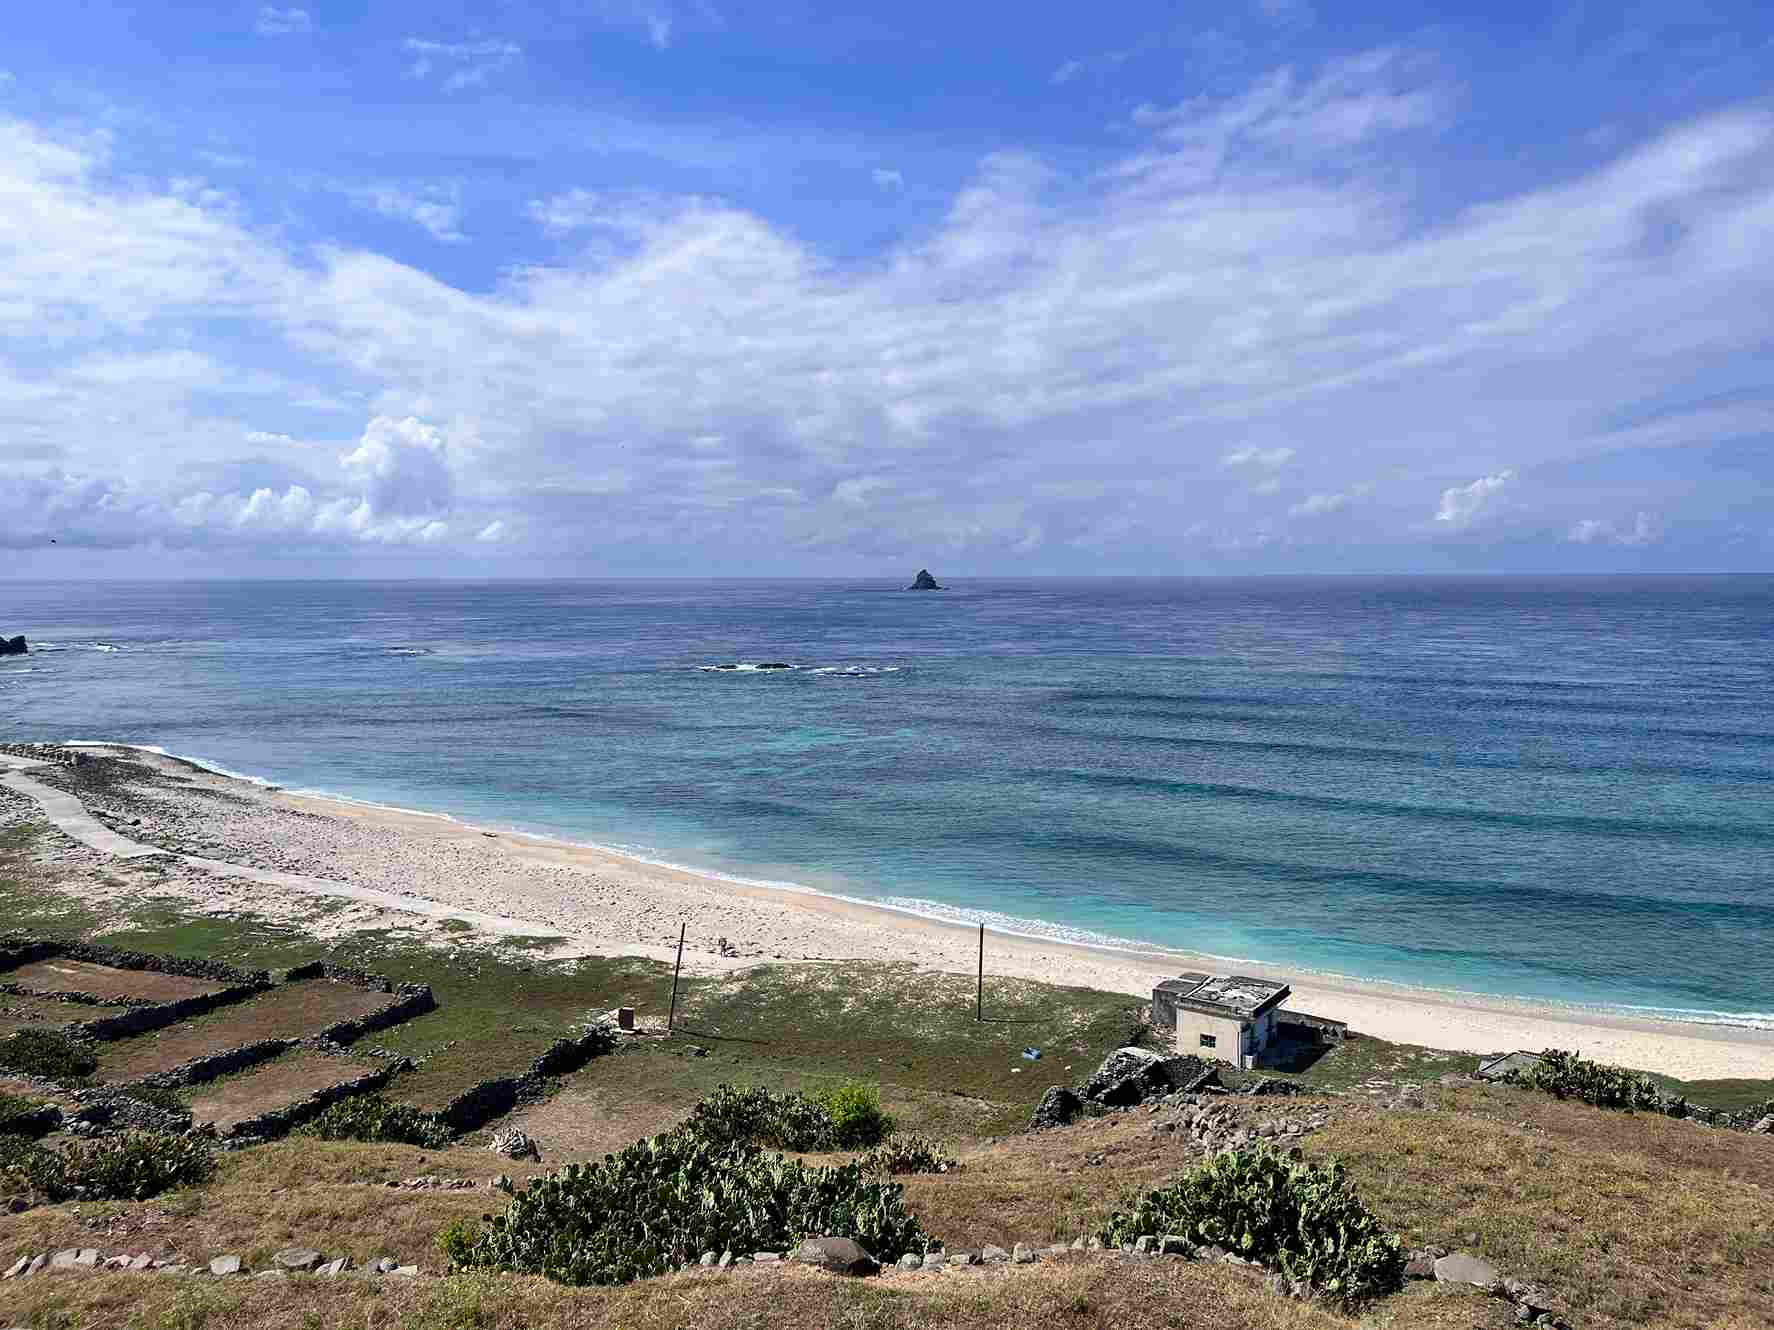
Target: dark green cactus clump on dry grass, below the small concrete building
point(1289, 1214)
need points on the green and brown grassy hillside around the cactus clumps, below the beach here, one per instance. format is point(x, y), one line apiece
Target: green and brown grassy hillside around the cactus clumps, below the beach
point(1633, 1221)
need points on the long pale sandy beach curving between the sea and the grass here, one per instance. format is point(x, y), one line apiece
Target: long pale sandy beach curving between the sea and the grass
point(405, 870)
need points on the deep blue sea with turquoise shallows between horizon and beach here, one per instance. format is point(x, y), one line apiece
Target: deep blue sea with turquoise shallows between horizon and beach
point(1555, 788)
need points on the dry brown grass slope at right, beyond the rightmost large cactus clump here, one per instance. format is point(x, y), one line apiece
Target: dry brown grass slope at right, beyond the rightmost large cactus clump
point(1637, 1221)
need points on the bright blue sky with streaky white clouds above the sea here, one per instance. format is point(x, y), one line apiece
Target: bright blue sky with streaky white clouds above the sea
point(696, 288)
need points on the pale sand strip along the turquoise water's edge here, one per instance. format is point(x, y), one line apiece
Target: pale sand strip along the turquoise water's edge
point(606, 902)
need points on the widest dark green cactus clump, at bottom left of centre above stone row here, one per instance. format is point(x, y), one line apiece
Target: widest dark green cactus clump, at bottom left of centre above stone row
point(664, 1201)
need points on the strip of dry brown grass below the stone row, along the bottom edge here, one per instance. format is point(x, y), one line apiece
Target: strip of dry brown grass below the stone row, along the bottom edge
point(1065, 1295)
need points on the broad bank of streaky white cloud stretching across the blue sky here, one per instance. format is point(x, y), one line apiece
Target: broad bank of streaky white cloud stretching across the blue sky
point(1103, 359)
